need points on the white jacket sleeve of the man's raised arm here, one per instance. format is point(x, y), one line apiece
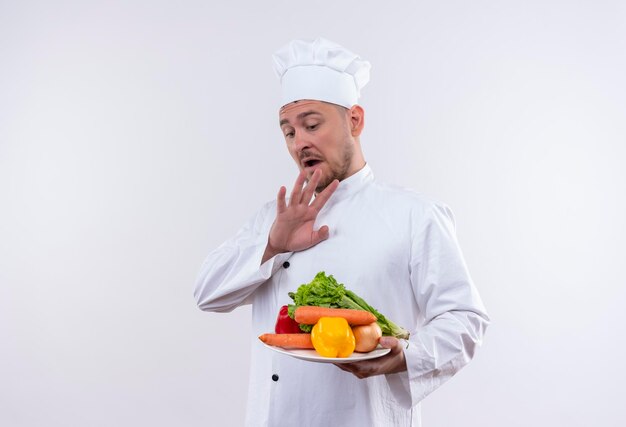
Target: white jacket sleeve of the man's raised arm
point(232, 272)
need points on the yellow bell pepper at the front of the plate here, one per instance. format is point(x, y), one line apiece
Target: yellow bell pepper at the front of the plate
point(333, 337)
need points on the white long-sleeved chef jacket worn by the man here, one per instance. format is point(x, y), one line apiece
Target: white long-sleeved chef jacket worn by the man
point(391, 246)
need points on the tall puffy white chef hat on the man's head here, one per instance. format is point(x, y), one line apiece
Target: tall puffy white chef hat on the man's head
point(320, 70)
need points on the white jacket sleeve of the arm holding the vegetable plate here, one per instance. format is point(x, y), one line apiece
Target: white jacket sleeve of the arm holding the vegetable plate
point(453, 318)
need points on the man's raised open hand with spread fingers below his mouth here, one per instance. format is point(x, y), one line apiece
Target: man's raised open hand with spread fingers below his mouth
point(292, 230)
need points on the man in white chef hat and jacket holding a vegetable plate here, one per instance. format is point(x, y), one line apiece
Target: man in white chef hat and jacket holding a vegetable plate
point(394, 247)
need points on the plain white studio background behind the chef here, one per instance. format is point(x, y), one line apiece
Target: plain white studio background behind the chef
point(135, 136)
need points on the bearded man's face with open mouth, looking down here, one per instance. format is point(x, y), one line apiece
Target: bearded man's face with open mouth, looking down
point(318, 136)
